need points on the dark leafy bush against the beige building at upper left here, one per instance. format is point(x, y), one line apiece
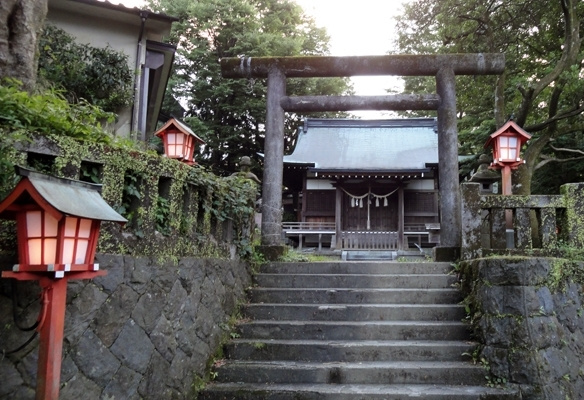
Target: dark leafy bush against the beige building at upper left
point(101, 76)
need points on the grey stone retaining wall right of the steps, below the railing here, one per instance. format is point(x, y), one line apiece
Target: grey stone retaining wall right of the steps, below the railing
point(528, 315)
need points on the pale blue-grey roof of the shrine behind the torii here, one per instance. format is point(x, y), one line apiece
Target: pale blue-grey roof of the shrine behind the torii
point(351, 144)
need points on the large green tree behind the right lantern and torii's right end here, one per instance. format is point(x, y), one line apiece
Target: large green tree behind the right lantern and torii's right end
point(542, 87)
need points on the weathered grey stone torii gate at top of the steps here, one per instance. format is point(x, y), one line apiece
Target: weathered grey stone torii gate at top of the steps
point(443, 67)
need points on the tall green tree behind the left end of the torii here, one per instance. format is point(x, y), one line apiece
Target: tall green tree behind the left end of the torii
point(230, 114)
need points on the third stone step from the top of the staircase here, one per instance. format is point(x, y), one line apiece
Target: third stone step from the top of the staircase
point(355, 295)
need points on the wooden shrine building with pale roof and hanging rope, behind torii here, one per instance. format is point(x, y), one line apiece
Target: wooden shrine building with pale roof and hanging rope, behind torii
point(363, 184)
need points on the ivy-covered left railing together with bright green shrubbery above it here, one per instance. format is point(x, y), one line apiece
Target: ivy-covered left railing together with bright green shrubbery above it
point(173, 209)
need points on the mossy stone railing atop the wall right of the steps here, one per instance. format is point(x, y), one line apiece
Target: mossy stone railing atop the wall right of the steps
point(538, 222)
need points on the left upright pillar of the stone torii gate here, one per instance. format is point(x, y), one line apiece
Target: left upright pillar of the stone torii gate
point(274, 156)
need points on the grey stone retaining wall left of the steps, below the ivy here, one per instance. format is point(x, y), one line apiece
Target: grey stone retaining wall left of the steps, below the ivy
point(143, 331)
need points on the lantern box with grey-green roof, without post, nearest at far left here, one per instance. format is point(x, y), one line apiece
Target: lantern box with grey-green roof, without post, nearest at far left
point(57, 223)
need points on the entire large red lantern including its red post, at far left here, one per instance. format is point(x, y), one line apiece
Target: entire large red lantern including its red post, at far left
point(57, 224)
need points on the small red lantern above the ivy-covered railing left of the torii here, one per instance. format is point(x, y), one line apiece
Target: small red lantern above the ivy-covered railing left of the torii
point(179, 141)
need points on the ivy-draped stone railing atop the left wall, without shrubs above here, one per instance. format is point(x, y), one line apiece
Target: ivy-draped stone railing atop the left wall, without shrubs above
point(202, 214)
